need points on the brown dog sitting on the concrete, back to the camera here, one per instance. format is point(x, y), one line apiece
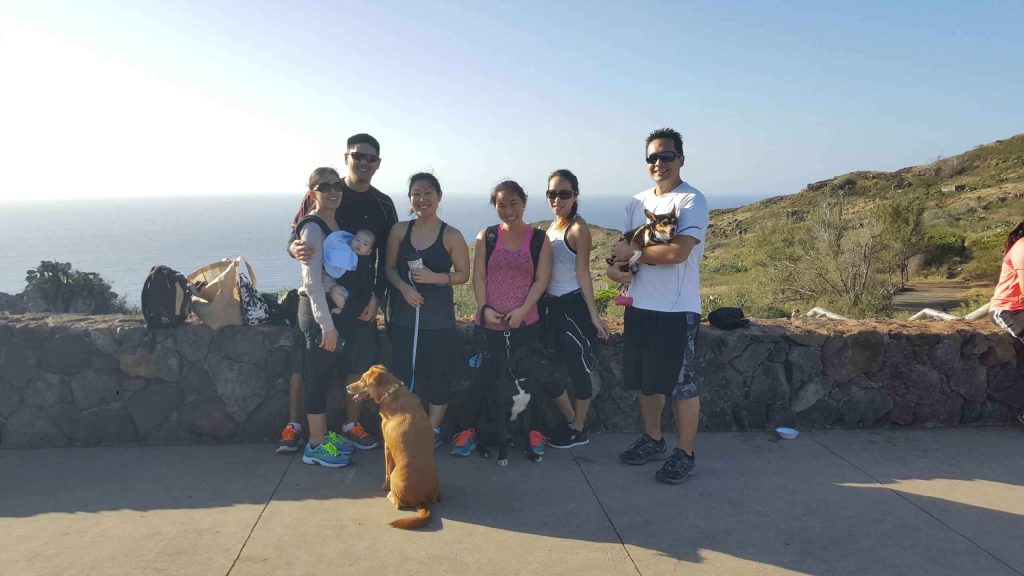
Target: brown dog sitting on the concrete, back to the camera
point(410, 473)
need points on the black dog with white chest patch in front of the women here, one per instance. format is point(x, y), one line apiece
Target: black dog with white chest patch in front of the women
point(532, 369)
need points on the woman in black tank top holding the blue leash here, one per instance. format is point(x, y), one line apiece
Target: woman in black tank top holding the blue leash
point(423, 260)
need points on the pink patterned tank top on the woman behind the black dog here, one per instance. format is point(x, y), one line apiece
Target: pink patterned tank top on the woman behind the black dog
point(510, 274)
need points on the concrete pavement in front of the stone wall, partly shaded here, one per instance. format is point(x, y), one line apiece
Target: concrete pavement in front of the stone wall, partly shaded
point(948, 502)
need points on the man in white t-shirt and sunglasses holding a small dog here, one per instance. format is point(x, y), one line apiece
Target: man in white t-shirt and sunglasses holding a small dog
point(661, 326)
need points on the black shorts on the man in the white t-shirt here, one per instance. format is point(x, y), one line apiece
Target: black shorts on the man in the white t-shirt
point(660, 352)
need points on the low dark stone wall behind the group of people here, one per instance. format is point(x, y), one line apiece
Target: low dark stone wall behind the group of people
point(89, 381)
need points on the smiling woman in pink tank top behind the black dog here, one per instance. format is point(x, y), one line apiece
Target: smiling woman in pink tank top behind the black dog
point(507, 283)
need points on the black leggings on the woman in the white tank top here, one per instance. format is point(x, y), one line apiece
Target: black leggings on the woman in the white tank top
point(569, 332)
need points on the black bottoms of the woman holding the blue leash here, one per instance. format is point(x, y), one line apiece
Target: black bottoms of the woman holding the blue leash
point(435, 360)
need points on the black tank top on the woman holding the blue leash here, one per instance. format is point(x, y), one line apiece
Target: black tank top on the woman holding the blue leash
point(439, 303)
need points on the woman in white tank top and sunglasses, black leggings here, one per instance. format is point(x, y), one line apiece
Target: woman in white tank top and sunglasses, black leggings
point(571, 318)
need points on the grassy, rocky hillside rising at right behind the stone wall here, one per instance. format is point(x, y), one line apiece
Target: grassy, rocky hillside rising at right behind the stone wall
point(972, 200)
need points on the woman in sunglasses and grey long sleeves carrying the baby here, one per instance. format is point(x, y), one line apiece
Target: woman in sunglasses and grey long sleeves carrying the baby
point(316, 321)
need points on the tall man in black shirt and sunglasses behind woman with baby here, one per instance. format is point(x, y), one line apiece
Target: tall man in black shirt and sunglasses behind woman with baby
point(363, 208)
